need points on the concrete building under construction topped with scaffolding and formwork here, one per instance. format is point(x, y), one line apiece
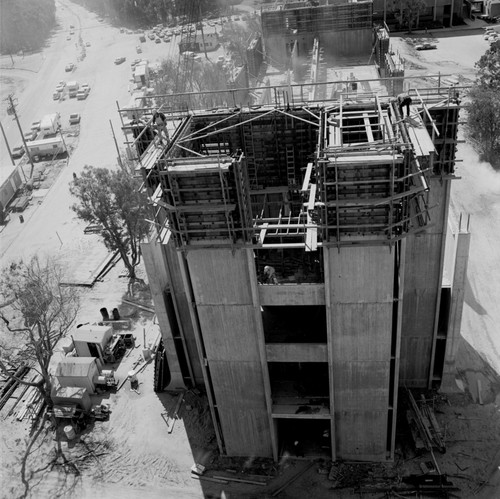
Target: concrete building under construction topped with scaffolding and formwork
point(302, 267)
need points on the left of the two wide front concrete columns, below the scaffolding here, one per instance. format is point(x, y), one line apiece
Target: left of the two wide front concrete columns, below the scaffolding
point(225, 307)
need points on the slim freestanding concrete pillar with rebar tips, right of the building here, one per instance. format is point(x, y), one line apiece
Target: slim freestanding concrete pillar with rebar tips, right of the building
point(456, 309)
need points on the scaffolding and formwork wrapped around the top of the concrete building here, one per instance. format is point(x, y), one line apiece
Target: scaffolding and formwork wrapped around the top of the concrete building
point(345, 172)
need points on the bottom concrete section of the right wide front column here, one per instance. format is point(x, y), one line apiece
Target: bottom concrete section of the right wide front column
point(361, 435)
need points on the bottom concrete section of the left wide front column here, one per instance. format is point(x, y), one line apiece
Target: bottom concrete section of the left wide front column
point(239, 394)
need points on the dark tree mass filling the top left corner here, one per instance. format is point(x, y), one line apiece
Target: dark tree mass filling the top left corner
point(25, 24)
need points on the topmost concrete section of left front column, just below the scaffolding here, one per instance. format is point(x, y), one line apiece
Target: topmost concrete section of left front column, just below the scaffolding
point(219, 276)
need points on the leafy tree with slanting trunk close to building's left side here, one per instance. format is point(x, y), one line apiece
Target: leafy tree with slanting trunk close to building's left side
point(112, 199)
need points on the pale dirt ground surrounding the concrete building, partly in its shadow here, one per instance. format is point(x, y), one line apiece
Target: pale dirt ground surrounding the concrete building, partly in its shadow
point(133, 453)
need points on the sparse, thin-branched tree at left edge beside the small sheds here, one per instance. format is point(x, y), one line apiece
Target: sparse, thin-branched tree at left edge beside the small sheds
point(37, 312)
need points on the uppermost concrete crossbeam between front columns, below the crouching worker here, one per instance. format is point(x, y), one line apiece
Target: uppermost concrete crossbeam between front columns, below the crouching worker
point(292, 294)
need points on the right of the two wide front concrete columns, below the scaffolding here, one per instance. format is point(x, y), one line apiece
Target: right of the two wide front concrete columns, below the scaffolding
point(361, 294)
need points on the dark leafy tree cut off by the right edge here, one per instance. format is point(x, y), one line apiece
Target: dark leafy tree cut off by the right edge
point(483, 108)
